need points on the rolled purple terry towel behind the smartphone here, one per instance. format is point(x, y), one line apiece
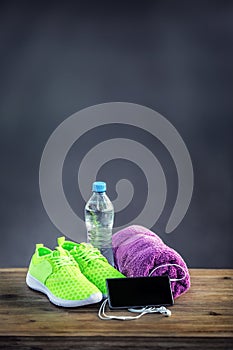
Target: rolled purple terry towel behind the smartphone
point(137, 251)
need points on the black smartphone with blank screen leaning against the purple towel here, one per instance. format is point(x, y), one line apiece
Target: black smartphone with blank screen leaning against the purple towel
point(139, 292)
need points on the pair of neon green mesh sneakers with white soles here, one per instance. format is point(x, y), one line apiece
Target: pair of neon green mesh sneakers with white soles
point(74, 274)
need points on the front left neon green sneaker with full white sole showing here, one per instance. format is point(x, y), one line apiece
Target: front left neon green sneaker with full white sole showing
point(57, 274)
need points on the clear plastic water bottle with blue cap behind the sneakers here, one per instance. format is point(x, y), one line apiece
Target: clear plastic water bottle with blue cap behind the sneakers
point(99, 216)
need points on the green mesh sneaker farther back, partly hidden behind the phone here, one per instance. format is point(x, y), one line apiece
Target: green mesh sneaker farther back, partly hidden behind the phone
point(91, 262)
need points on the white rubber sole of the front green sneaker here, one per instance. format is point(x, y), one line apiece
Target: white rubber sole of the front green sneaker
point(33, 283)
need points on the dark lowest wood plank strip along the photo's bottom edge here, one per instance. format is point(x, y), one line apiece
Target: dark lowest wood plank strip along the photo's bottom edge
point(115, 343)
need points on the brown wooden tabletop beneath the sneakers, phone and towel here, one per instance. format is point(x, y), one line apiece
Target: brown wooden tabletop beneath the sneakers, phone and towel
point(201, 318)
